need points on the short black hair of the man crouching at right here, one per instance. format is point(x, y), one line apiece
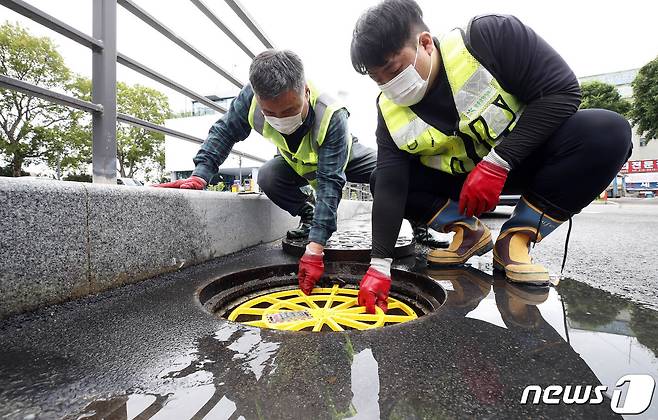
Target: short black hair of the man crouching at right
point(384, 30)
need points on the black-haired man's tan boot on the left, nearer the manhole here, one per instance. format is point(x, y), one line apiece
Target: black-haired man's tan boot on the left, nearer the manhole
point(471, 238)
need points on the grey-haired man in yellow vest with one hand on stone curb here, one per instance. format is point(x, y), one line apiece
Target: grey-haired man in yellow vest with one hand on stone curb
point(310, 130)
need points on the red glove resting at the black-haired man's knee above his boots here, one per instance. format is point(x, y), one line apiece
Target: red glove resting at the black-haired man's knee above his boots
point(482, 188)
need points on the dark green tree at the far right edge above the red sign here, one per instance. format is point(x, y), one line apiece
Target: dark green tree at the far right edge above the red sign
point(644, 112)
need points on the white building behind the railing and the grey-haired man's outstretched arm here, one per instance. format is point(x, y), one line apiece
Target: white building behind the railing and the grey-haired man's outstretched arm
point(179, 153)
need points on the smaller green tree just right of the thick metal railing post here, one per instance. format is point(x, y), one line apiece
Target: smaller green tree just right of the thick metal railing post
point(137, 149)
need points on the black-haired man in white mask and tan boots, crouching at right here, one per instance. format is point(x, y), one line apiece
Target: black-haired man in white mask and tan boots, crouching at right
point(466, 115)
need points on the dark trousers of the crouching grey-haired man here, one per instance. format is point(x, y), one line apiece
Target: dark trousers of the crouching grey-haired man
point(281, 183)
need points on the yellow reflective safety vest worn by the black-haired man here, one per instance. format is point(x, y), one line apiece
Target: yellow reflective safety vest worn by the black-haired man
point(486, 112)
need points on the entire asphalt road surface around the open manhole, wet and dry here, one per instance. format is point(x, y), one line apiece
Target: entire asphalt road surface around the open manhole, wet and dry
point(151, 349)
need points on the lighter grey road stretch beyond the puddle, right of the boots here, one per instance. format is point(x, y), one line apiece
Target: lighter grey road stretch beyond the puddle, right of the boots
point(613, 247)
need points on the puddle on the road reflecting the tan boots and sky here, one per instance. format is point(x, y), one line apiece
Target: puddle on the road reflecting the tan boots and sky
point(613, 335)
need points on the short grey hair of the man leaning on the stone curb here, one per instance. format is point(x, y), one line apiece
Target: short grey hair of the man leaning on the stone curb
point(276, 71)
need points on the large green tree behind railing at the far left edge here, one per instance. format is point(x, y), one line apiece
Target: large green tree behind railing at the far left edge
point(30, 127)
